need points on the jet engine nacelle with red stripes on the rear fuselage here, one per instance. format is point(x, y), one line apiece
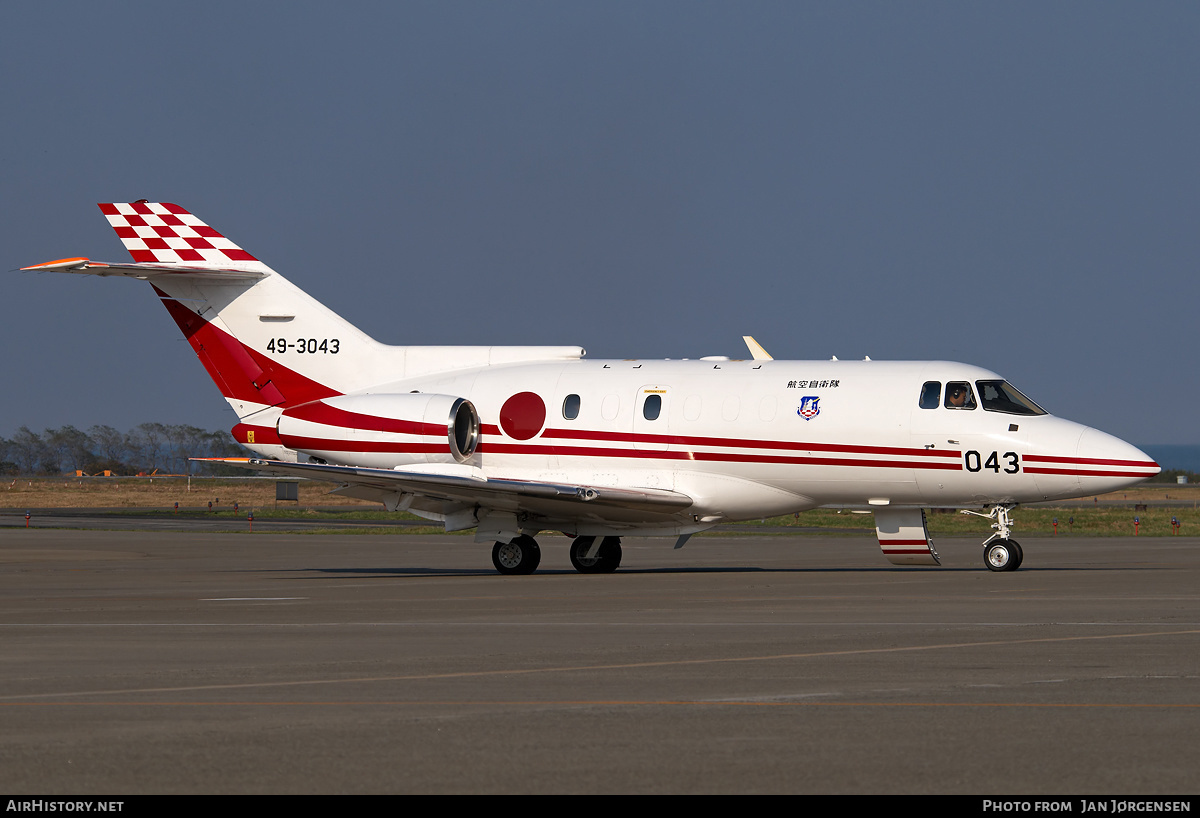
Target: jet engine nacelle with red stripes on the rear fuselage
point(383, 431)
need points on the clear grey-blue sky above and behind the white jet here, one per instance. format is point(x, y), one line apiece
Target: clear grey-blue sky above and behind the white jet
point(1010, 185)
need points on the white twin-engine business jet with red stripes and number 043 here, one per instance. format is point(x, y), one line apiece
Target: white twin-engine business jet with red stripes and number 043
point(518, 441)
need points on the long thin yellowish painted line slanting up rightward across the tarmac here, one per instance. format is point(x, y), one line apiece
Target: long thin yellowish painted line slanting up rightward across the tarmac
point(621, 666)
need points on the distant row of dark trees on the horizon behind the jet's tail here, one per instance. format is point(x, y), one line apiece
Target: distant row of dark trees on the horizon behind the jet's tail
point(146, 449)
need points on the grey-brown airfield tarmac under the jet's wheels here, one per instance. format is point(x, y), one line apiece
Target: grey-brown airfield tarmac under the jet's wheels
point(200, 663)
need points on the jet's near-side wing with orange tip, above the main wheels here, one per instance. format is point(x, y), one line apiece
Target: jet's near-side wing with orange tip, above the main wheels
point(469, 485)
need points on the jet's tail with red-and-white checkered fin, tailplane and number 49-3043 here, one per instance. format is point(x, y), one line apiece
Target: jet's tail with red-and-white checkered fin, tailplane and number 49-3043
point(267, 345)
